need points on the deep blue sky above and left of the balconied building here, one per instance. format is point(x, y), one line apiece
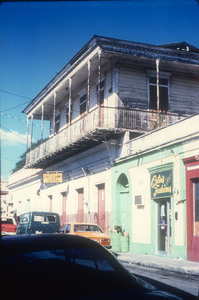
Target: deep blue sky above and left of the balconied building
point(38, 38)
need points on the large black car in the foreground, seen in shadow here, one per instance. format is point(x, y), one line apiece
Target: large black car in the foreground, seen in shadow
point(64, 266)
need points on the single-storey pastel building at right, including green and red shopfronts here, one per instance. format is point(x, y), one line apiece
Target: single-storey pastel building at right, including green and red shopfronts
point(150, 199)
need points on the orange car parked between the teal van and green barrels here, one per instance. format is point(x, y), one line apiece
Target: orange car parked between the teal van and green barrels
point(89, 230)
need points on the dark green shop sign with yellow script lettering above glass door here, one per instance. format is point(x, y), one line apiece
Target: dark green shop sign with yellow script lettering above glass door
point(161, 184)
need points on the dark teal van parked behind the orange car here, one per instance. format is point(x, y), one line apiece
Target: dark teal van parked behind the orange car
point(38, 222)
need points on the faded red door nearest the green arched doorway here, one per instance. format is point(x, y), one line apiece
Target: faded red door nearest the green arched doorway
point(101, 206)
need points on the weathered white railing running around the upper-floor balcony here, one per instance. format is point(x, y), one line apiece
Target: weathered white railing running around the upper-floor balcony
point(107, 119)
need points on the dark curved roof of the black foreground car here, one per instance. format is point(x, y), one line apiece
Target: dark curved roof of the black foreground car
point(42, 242)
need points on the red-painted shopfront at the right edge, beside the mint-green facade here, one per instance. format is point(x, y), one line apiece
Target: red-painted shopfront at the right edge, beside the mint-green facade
point(192, 195)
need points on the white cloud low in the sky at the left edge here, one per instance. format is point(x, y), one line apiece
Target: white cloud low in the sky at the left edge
point(12, 137)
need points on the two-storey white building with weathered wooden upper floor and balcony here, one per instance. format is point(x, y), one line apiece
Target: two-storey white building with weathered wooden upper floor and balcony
point(111, 91)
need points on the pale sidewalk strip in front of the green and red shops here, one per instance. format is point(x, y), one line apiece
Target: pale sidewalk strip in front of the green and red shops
point(160, 262)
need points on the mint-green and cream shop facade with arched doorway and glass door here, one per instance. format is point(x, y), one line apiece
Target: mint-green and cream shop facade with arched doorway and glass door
point(149, 201)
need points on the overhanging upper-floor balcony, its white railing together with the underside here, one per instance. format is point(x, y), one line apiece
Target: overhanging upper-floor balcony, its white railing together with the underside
point(94, 128)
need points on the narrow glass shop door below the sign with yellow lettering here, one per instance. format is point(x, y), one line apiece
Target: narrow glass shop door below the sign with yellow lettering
point(164, 232)
